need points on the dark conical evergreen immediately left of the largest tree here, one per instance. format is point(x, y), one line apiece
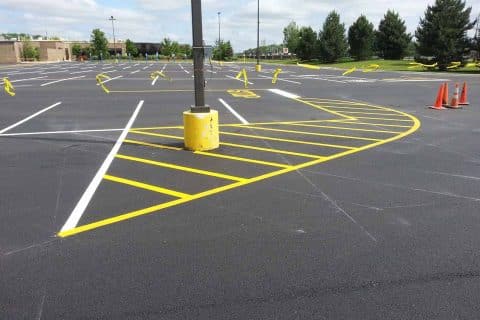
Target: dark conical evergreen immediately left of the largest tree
point(391, 38)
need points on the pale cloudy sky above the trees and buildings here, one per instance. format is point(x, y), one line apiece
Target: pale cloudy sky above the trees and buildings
point(153, 20)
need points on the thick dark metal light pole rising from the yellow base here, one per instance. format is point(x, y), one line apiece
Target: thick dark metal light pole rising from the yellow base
point(198, 56)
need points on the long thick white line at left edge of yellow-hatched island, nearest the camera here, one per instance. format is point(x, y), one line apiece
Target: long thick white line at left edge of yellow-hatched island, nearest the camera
point(82, 204)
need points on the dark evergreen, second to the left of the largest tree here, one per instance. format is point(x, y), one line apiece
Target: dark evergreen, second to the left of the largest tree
point(361, 38)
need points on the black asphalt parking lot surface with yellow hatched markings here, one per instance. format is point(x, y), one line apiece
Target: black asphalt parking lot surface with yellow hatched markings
point(390, 232)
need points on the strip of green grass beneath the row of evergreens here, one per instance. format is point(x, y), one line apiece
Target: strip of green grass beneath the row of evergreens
point(388, 65)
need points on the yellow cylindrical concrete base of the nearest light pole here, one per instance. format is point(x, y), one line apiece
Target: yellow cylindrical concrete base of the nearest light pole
point(201, 130)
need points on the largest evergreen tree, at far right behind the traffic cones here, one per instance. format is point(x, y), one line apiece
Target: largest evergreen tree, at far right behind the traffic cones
point(442, 32)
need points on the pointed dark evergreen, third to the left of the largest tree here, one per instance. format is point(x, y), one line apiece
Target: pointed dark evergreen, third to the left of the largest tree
point(332, 43)
